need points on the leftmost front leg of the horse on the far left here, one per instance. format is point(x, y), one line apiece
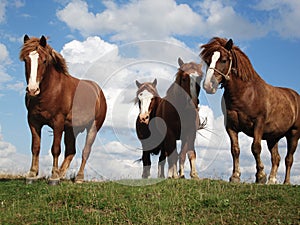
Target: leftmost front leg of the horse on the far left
point(35, 150)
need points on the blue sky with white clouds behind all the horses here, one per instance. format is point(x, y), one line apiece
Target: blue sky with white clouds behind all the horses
point(118, 42)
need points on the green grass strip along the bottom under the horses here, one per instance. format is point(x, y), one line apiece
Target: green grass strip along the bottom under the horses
point(167, 202)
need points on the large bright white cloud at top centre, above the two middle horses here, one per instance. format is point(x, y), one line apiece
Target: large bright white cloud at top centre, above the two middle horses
point(136, 20)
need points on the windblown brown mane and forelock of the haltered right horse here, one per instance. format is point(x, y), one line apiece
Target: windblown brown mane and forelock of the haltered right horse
point(241, 63)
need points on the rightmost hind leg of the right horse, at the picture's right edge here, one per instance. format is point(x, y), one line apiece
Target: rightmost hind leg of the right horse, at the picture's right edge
point(292, 142)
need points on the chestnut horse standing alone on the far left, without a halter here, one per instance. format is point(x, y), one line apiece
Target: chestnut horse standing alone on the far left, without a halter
point(61, 101)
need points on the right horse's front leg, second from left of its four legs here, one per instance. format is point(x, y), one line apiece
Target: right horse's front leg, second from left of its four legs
point(261, 176)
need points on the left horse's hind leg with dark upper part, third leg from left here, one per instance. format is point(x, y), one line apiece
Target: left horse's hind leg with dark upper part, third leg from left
point(70, 140)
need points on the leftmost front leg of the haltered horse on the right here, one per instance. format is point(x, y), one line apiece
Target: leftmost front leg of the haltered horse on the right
point(235, 152)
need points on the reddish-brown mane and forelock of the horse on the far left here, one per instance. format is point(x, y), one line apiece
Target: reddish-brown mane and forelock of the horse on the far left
point(53, 57)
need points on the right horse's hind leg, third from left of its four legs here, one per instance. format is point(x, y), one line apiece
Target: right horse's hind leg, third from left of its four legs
point(275, 159)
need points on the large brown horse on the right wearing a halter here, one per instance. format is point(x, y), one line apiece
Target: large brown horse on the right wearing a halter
point(252, 106)
